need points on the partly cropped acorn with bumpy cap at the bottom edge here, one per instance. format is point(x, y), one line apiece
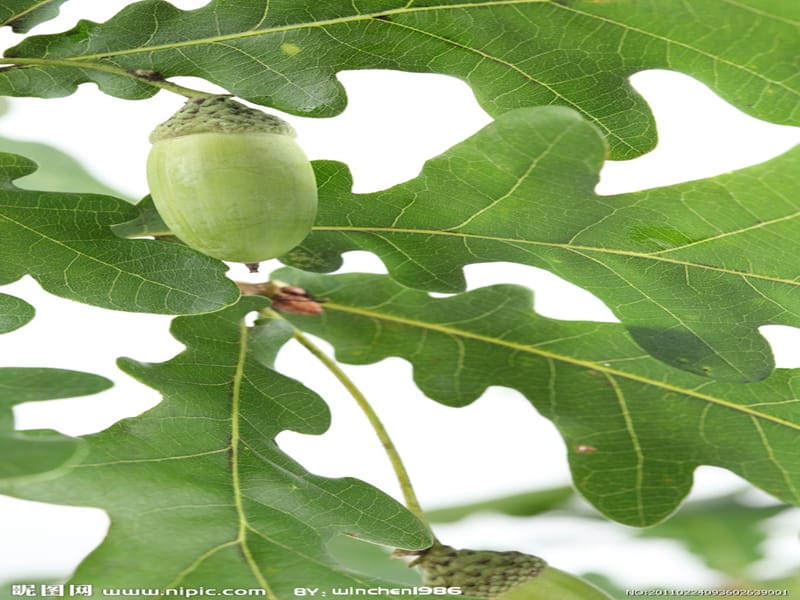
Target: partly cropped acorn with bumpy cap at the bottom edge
point(501, 575)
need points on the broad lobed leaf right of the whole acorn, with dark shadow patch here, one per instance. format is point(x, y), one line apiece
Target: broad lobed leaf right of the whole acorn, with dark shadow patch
point(665, 260)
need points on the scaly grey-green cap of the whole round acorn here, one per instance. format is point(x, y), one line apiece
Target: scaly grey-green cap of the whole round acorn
point(218, 114)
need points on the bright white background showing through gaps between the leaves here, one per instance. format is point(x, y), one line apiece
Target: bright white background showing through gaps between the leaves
point(393, 123)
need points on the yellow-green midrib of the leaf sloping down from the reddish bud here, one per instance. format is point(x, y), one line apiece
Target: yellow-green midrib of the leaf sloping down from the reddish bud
point(570, 360)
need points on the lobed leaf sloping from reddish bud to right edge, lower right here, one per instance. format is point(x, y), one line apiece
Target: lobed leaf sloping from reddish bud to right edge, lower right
point(635, 429)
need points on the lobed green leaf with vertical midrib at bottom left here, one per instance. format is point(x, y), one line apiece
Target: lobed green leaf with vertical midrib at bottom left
point(205, 461)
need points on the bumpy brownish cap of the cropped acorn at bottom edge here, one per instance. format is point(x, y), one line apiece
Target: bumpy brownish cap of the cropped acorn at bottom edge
point(479, 573)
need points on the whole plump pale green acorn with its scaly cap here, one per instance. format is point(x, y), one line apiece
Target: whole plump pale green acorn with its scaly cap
point(230, 181)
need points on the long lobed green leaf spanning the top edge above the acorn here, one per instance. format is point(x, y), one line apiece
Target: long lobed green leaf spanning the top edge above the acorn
point(576, 54)
